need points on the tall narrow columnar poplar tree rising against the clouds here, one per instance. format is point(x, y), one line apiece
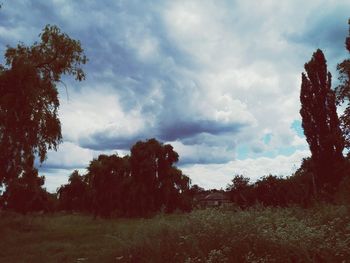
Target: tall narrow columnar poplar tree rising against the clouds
point(320, 120)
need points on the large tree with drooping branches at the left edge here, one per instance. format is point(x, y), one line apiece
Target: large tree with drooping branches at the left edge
point(29, 124)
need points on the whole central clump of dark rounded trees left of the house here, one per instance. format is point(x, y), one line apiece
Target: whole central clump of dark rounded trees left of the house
point(142, 184)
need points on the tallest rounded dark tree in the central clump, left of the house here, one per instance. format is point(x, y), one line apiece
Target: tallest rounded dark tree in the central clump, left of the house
point(156, 182)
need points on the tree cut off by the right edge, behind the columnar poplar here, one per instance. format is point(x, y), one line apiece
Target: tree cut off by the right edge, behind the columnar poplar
point(343, 92)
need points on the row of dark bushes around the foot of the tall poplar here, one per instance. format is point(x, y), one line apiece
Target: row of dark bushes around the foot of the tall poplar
point(298, 189)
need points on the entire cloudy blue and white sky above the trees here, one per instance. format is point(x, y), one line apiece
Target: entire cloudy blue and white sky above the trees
point(218, 80)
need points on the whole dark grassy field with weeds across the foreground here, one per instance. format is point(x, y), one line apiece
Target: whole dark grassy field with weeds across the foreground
point(320, 234)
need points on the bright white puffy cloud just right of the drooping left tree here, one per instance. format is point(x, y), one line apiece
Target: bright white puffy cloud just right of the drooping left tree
point(92, 110)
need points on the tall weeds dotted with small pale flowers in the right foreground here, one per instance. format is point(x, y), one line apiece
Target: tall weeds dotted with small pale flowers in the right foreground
point(321, 234)
